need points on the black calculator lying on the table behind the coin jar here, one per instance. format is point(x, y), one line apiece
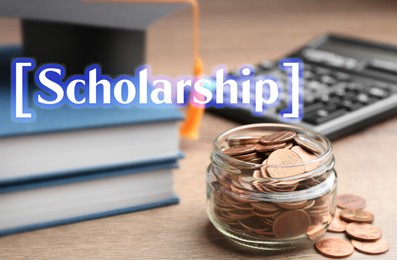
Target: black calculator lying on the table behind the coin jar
point(349, 84)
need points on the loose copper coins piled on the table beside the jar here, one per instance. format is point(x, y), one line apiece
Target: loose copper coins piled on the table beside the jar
point(356, 223)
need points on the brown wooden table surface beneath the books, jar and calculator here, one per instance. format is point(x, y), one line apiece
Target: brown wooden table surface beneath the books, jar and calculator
point(233, 32)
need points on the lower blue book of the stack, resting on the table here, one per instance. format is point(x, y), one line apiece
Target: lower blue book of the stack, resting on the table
point(42, 204)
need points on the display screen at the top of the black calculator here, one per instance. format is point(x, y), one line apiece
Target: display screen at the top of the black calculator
point(360, 52)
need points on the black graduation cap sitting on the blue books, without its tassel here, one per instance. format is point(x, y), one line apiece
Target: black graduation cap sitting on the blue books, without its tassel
point(76, 33)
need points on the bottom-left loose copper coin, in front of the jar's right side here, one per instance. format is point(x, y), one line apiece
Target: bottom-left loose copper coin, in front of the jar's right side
point(334, 247)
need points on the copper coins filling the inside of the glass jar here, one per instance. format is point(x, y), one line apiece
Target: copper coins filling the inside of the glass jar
point(234, 199)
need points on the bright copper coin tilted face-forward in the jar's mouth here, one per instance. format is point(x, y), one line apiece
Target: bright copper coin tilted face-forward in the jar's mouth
point(284, 157)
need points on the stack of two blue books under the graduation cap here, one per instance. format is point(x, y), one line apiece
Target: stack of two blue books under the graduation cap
point(71, 164)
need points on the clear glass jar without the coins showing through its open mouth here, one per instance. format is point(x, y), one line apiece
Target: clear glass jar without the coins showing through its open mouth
point(269, 213)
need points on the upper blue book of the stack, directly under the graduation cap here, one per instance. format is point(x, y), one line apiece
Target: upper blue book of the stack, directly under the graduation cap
point(67, 141)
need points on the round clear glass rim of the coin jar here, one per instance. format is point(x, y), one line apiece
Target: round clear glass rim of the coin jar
point(321, 157)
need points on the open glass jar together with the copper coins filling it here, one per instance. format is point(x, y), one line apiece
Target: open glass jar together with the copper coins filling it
point(271, 186)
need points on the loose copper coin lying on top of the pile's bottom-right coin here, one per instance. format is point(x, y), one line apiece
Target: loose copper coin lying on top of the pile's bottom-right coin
point(363, 231)
